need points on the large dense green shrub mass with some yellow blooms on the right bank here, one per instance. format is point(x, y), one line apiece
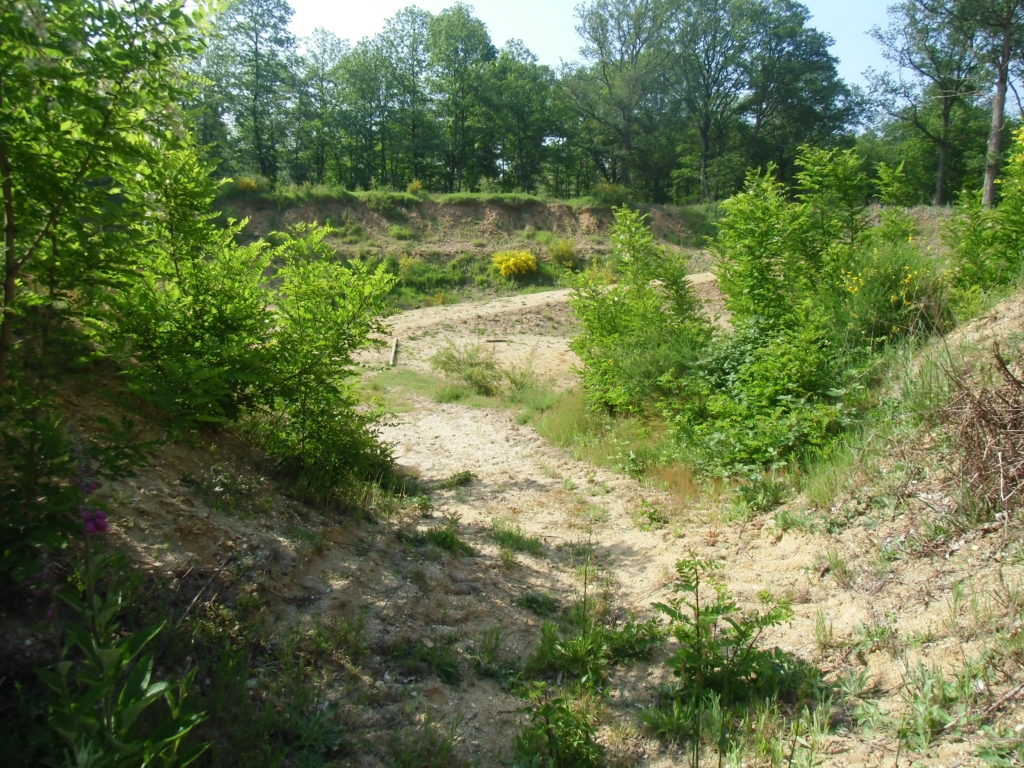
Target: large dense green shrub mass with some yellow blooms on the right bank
point(814, 292)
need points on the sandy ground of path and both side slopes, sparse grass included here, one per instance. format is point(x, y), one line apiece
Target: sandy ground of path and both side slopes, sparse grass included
point(914, 619)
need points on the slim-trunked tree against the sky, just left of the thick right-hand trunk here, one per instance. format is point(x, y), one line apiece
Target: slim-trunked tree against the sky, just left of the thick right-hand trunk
point(941, 59)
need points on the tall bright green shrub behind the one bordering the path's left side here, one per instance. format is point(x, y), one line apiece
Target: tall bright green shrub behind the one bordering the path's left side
point(191, 327)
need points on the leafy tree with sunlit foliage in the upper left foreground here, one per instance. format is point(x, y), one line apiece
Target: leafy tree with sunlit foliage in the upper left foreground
point(90, 89)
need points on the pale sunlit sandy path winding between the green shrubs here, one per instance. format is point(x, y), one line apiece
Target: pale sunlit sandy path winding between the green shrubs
point(521, 476)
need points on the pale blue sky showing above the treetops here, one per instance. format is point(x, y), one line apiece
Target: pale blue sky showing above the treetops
point(548, 27)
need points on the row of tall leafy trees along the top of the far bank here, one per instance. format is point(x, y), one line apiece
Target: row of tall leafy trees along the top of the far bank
point(671, 101)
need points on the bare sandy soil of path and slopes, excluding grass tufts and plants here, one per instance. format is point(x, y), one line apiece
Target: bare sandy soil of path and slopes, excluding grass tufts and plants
point(206, 508)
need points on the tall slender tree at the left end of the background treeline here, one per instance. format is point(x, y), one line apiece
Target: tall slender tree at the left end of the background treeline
point(259, 76)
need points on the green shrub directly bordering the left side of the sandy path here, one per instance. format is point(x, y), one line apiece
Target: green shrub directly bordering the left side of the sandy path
point(325, 312)
